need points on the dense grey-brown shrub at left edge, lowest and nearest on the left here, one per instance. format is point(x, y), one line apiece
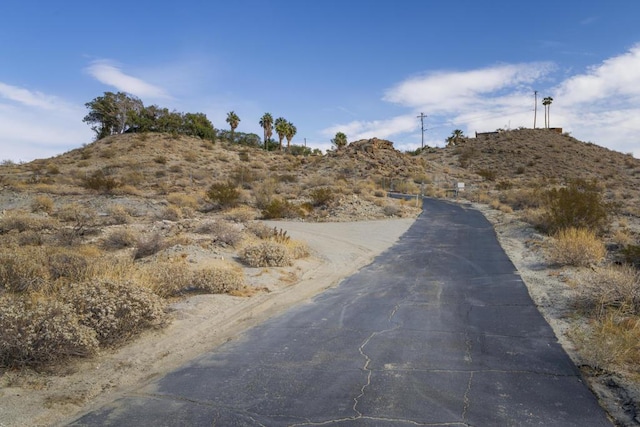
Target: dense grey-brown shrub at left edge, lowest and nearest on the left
point(41, 331)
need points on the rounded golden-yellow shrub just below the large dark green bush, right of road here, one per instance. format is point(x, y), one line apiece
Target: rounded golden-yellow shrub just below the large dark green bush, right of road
point(576, 247)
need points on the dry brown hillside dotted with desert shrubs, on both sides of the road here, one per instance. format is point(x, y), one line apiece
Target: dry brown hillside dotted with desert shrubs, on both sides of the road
point(97, 243)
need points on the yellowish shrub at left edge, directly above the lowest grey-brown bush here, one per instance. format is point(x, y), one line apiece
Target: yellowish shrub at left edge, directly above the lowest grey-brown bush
point(23, 270)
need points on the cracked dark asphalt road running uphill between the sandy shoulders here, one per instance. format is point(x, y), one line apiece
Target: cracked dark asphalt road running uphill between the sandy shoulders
point(438, 330)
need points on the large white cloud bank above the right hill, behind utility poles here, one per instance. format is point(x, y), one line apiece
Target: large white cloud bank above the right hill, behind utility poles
point(601, 105)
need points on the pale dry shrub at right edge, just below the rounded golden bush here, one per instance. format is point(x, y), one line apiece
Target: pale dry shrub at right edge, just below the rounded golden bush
point(612, 287)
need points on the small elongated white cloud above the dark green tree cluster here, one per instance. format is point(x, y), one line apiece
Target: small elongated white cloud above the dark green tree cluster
point(108, 73)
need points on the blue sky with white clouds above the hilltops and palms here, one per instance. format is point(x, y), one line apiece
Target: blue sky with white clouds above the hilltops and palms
point(366, 68)
